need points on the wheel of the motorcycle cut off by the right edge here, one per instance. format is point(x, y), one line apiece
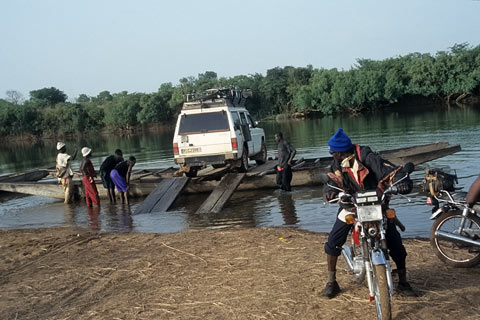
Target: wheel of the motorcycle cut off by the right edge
point(452, 253)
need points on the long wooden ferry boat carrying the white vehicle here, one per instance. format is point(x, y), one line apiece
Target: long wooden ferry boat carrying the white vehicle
point(307, 172)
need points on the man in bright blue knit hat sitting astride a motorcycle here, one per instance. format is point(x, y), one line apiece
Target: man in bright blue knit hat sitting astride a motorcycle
point(355, 168)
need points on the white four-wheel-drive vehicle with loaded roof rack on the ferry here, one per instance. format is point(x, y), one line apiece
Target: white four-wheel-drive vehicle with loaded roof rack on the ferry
point(217, 130)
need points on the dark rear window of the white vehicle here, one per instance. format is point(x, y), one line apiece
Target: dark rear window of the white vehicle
point(203, 122)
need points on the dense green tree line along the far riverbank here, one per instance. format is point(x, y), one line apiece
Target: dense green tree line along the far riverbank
point(450, 75)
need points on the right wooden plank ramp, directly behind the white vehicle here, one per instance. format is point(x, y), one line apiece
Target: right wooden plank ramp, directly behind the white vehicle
point(221, 194)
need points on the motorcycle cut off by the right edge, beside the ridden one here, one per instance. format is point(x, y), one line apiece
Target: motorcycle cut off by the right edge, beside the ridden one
point(455, 233)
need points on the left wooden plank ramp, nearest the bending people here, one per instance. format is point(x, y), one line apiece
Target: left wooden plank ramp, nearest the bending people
point(162, 197)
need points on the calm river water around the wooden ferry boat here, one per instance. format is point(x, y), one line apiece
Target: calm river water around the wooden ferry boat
point(302, 208)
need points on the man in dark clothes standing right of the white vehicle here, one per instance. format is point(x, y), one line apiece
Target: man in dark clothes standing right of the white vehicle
point(285, 156)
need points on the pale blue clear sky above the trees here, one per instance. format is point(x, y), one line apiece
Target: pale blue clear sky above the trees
point(89, 46)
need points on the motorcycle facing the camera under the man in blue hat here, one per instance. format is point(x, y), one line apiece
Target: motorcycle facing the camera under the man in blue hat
point(367, 257)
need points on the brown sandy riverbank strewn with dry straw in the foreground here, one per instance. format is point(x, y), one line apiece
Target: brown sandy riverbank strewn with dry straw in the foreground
point(255, 273)
